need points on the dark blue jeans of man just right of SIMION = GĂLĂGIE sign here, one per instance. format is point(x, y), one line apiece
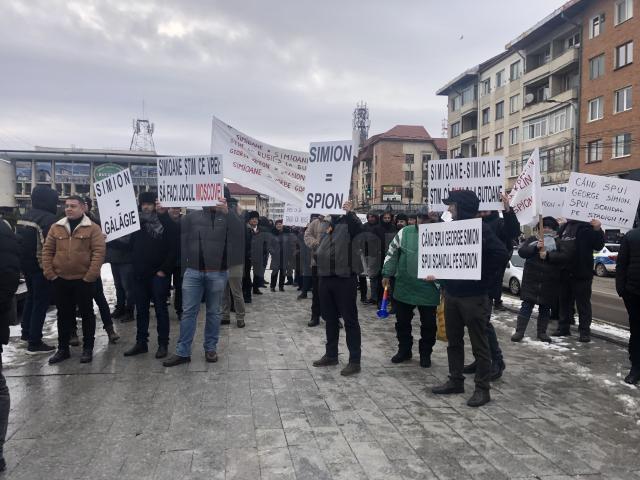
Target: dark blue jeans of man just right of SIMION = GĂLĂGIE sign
point(146, 289)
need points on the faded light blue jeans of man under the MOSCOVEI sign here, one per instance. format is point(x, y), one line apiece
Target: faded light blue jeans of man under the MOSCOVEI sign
point(194, 285)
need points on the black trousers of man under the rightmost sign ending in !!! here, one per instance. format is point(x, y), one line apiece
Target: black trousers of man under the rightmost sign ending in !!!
point(578, 291)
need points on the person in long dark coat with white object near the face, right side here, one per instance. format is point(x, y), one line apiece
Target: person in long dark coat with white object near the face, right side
point(540, 279)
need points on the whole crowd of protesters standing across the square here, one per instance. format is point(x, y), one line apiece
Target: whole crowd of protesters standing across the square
point(219, 255)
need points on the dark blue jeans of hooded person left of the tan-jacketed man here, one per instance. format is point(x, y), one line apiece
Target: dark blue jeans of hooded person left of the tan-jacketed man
point(35, 307)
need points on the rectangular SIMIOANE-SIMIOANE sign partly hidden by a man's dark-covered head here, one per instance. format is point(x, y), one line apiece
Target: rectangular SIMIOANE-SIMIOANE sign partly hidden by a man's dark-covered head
point(482, 175)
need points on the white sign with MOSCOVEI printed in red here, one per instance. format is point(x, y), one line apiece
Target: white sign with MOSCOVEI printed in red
point(190, 181)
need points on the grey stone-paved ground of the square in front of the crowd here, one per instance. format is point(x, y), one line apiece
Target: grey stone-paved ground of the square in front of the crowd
point(559, 412)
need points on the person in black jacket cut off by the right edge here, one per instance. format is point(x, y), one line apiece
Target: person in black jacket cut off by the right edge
point(628, 287)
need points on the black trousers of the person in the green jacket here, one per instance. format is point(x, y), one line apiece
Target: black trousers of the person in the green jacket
point(404, 316)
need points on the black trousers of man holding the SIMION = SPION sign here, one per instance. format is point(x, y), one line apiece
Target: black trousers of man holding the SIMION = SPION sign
point(338, 299)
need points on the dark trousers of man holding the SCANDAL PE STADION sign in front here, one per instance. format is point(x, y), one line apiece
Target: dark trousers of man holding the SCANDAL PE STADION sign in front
point(472, 313)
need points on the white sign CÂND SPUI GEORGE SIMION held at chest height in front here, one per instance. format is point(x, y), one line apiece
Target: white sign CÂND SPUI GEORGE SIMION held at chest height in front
point(451, 251)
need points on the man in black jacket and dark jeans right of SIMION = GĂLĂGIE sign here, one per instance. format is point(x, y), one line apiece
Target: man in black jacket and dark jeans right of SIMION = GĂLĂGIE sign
point(154, 256)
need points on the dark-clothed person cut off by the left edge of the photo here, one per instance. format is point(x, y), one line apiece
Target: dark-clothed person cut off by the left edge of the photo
point(9, 280)
